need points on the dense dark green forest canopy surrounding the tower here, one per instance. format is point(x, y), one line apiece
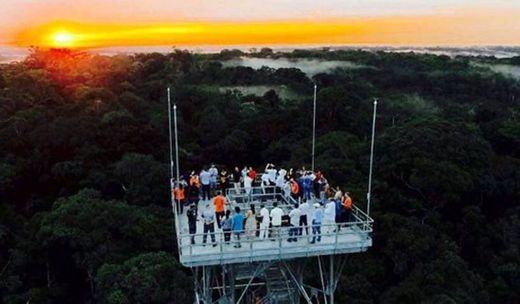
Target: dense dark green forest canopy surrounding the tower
point(84, 190)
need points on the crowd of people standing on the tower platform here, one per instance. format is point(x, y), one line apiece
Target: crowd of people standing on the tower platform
point(314, 204)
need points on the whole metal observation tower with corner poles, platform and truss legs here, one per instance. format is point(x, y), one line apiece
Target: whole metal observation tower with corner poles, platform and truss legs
point(272, 270)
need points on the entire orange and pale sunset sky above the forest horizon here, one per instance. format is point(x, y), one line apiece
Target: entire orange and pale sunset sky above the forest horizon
point(442, 26)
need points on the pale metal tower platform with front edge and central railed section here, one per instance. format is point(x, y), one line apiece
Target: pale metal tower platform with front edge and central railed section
point(353, 236)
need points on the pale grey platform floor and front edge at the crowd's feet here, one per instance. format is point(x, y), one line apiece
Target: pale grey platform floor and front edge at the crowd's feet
point(354, 238)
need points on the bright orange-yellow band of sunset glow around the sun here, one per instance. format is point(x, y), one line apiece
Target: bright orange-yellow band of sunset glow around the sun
point(463, 28)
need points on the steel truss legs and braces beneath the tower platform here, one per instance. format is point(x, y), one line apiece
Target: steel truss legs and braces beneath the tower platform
point(280, 281)
